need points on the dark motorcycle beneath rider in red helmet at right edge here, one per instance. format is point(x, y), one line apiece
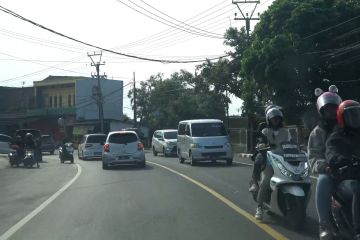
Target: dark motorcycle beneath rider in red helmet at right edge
point(341, 206)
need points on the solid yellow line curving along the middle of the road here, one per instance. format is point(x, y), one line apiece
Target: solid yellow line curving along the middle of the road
point(272, 232)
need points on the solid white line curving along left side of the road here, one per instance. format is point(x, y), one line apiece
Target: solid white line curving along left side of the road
point(35, 212)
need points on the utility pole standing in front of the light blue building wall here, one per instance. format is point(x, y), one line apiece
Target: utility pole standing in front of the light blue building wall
point(98, 94)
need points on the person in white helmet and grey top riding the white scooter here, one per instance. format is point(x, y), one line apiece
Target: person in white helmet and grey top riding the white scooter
point(275, 134)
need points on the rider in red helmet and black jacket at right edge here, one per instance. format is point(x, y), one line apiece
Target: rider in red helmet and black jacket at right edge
point(342, 146)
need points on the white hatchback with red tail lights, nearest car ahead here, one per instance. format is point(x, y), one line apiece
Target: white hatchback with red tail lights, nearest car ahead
point(123, 147)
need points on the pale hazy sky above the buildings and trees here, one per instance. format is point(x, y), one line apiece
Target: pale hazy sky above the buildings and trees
point(28, 53)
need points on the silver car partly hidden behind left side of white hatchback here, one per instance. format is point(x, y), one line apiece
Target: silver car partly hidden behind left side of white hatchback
point(91, 146)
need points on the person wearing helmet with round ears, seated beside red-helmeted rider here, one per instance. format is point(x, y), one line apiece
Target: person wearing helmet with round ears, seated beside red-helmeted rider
point(327, 104)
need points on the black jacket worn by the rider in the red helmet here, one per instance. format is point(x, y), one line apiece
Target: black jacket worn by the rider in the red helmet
point(341, 147)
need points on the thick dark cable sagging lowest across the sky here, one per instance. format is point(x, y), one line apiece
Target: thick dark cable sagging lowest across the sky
point(94, 46)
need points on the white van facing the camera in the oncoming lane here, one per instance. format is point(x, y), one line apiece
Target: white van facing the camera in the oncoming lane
point(203, 140)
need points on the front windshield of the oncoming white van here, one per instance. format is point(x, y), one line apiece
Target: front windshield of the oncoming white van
point(208, 129)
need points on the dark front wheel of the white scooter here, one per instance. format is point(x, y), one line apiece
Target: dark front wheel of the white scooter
point(296, 212)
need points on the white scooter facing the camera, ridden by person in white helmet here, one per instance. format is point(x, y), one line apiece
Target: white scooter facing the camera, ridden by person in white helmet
point(290, 184)
